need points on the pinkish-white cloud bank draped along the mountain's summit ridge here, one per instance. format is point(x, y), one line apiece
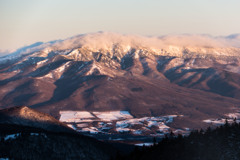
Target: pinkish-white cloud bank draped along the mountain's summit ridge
point(106, 40)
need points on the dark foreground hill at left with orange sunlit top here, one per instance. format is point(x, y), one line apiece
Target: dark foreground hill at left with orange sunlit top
point(29, 134)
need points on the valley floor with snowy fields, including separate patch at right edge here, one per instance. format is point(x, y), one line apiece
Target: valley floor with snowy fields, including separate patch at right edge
point(121, 126)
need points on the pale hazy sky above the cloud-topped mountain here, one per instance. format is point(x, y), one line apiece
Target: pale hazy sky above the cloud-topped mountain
point(23, 22)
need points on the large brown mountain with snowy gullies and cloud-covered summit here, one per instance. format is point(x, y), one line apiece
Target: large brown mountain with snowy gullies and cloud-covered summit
point(106, 72)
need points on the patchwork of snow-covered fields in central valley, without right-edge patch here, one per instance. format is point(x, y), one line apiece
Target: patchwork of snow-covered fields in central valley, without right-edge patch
point(116, 122)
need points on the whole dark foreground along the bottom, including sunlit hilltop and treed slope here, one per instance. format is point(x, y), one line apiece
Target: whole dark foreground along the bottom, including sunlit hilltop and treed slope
point(29, 141)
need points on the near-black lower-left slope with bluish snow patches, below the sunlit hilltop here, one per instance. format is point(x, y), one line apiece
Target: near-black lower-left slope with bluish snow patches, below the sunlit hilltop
point(32, 143)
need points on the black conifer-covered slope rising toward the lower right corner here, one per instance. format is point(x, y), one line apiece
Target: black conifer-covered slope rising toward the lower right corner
point(222, 143)
